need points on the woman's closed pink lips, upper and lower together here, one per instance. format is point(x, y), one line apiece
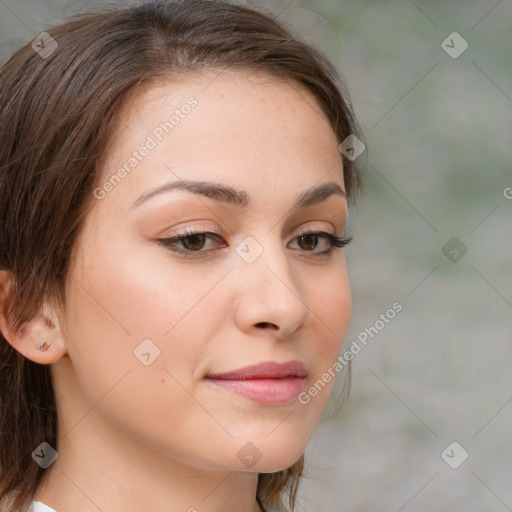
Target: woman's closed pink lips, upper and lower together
point(266, 383)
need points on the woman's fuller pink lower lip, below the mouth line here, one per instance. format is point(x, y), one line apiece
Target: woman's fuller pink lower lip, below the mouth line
point(264, 391)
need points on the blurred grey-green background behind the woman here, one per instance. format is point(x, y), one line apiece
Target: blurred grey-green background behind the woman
point(427, 425)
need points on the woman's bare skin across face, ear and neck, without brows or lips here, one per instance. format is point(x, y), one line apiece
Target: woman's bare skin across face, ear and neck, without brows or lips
point(160, 437)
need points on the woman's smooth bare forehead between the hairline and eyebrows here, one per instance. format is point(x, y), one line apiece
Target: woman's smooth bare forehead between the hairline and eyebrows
point(238, 127)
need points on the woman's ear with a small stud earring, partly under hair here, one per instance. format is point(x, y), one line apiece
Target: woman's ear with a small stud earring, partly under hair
point(29, 339)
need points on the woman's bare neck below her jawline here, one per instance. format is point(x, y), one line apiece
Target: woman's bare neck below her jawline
point(105, 471)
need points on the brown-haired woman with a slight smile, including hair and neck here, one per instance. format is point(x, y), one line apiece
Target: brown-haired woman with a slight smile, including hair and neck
point(173, 201)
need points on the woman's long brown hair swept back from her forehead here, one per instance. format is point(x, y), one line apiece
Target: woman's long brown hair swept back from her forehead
point(57, 115)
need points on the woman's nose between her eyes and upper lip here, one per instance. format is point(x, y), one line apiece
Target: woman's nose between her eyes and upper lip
point(270, 294)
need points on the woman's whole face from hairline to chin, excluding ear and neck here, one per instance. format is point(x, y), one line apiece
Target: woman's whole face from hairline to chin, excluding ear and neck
point(146, 322)
